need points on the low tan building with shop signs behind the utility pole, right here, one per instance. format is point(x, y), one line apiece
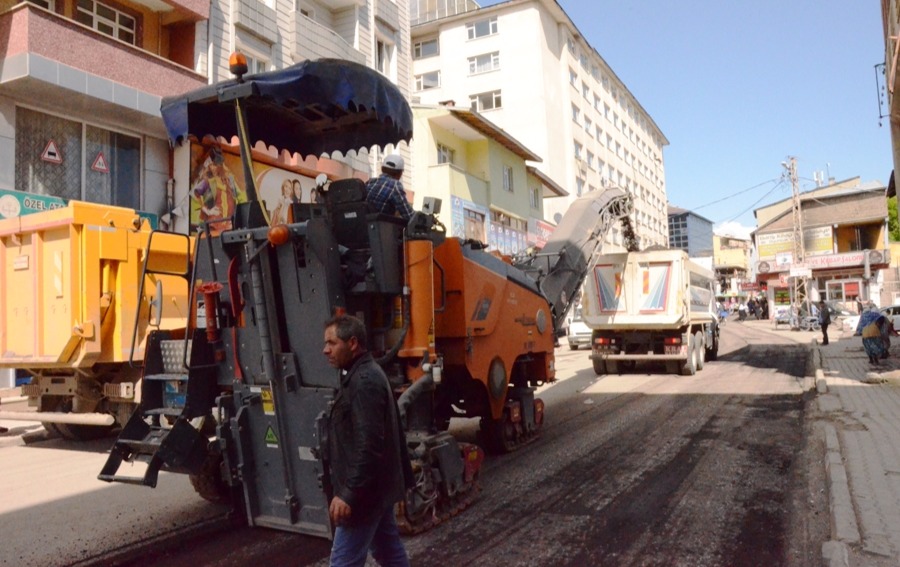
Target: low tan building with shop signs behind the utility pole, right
point(845, 244)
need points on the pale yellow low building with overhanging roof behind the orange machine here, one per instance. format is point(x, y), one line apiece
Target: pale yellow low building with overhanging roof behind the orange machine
point(489, 193)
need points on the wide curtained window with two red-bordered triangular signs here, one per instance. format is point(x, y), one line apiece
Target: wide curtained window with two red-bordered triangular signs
point(93, 164)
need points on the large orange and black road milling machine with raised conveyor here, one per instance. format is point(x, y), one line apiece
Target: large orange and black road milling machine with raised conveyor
point(239, 399)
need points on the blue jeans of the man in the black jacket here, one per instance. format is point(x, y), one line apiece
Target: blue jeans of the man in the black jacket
point(380, 535)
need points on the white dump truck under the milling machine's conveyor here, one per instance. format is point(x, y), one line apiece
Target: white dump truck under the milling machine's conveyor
point(651, 305)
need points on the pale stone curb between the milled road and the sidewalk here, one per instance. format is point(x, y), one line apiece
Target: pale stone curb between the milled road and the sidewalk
point(844, 528)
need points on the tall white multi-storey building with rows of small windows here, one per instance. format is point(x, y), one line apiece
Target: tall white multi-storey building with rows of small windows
point(526, 66)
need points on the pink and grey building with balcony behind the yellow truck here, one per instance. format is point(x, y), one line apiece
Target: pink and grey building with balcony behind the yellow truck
point(80, 88)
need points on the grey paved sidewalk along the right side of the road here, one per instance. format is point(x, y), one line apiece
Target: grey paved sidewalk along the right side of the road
point(860, 404)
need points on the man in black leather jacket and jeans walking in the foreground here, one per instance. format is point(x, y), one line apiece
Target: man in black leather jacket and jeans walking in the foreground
point(370, 469)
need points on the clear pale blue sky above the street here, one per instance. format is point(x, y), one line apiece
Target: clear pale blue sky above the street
point(740, 87)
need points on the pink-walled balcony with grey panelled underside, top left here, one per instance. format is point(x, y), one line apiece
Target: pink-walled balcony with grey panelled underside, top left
point(75, 69)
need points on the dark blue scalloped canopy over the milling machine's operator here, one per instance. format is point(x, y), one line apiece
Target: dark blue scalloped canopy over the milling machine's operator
point(312, 108)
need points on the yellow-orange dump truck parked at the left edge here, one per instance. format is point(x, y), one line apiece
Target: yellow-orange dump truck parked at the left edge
point(77, 302)
